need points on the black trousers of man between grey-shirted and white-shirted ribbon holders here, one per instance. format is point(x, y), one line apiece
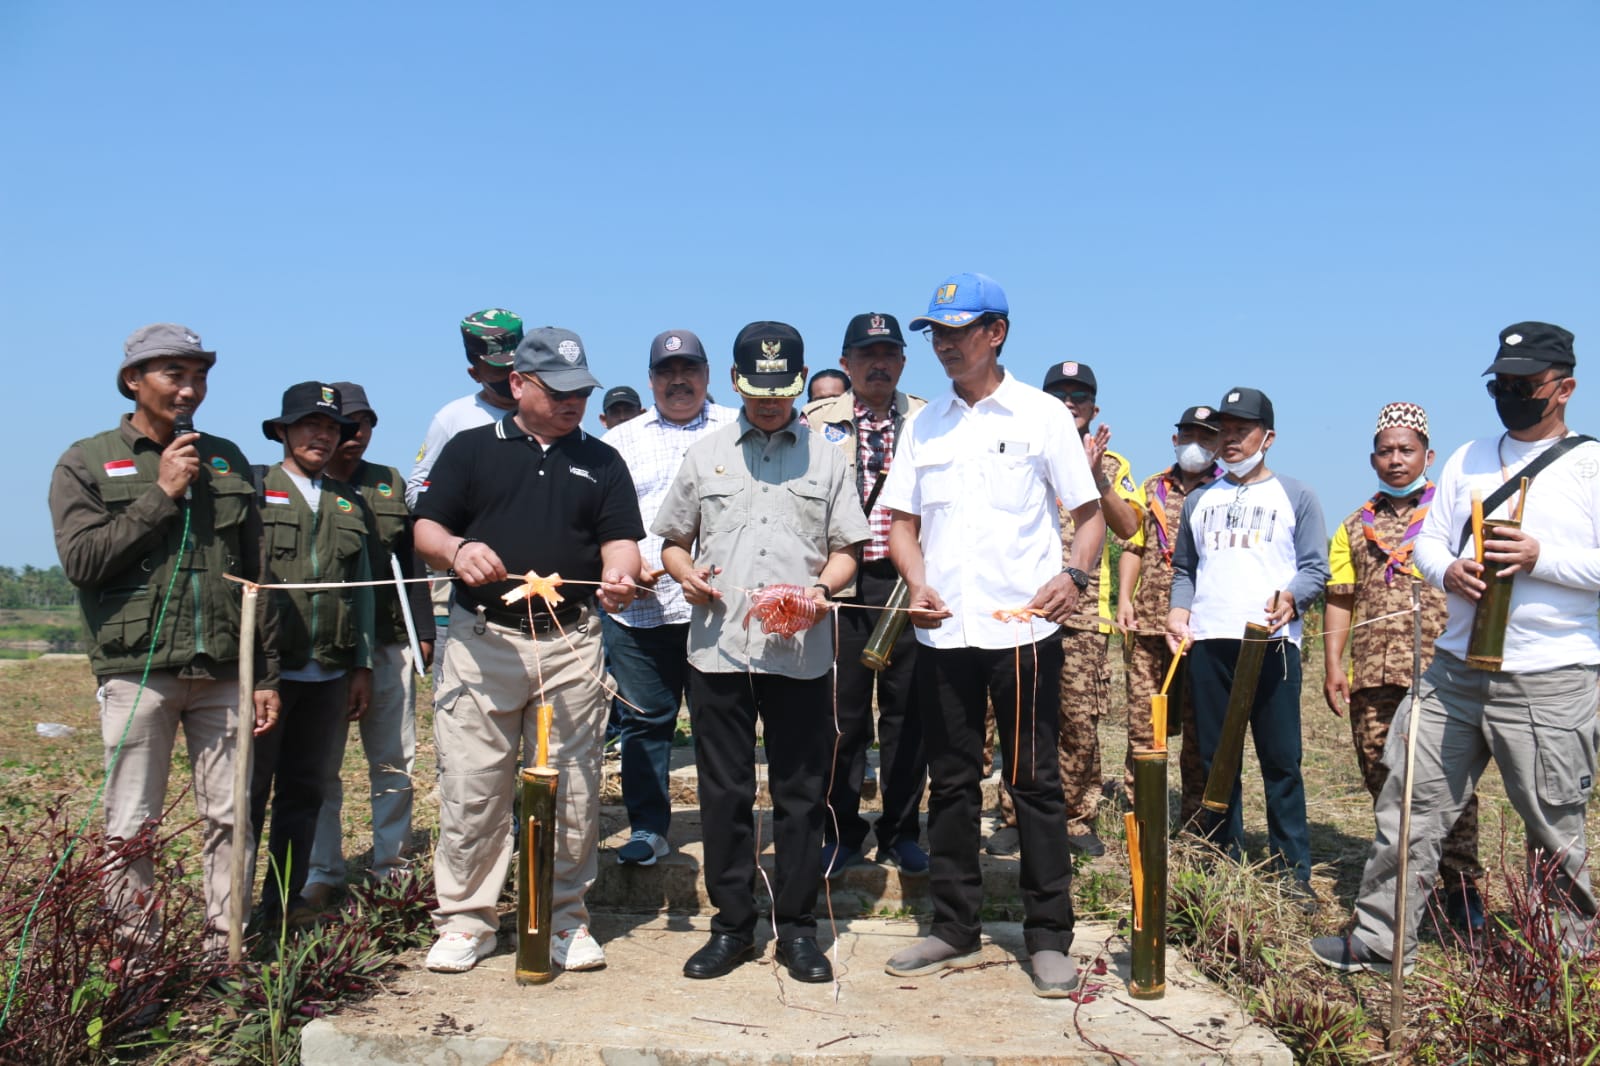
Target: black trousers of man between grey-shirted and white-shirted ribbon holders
point(903, 764)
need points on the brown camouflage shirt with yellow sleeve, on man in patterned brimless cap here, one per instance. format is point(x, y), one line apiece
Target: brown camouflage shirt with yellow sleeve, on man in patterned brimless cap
point(1382, 652)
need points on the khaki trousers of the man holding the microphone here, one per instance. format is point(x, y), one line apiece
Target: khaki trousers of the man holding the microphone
point(137, 782)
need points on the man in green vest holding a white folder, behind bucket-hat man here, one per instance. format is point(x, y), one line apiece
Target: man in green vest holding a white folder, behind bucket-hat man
point(390, 724)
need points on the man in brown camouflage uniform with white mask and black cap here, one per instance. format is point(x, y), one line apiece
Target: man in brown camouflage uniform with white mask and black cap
point(1143, 590)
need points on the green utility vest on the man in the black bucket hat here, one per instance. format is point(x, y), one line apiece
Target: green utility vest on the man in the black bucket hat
point(332, 627)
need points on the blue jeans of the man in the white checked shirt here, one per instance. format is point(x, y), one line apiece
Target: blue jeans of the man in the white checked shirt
point(650, 668)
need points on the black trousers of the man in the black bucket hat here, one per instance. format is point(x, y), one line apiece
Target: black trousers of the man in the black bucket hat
point(289, 767)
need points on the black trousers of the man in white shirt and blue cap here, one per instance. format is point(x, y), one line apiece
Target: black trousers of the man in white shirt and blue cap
point(953, 687)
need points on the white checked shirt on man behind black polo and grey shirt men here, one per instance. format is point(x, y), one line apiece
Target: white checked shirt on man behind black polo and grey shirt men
point(654, 451)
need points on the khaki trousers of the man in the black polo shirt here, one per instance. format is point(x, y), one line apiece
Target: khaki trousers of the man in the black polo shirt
point(486, 711)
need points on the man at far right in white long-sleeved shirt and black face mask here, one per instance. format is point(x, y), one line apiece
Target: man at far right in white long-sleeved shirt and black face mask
point(1535, 715)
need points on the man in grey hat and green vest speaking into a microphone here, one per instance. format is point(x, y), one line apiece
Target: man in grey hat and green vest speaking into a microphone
point(150, 524)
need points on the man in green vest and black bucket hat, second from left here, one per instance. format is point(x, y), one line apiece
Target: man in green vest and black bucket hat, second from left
point(318, 534)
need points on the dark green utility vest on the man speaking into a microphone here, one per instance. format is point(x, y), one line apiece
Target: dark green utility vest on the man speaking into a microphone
point(202, 617)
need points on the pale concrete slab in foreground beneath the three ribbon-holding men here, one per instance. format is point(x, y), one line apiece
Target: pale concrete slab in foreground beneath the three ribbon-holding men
point(642, 1011)
